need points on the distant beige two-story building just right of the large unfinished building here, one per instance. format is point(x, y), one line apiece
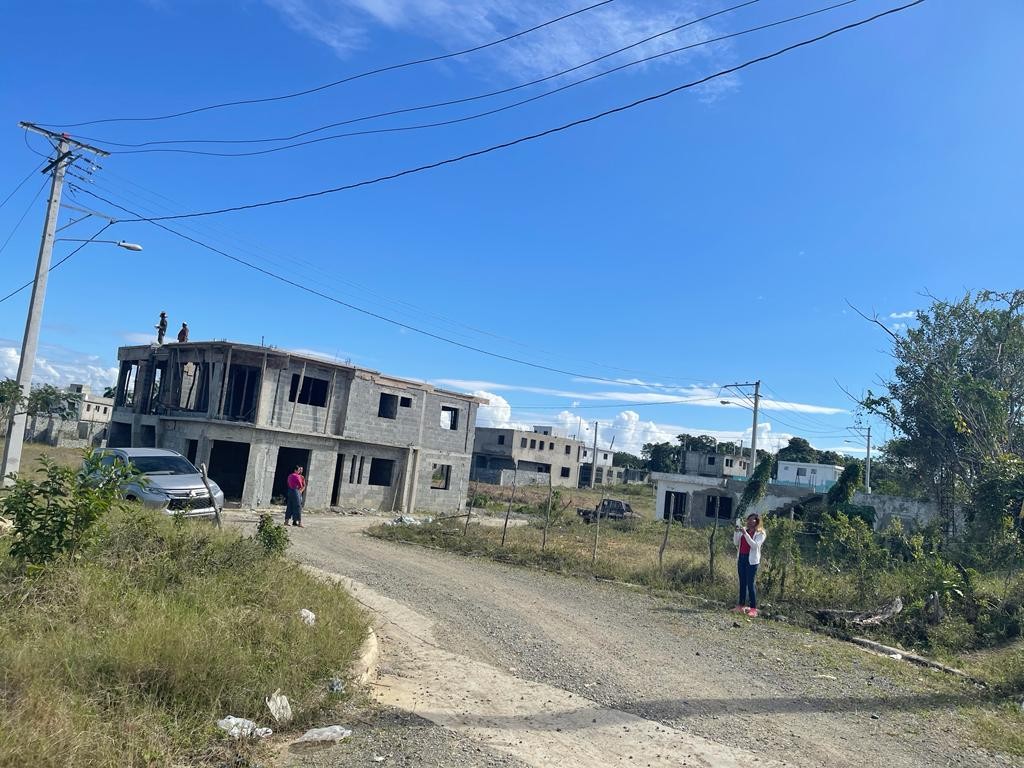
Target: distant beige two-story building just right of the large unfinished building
point(539, 453)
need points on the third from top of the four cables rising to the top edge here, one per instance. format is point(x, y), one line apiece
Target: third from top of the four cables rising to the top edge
point(476, 116)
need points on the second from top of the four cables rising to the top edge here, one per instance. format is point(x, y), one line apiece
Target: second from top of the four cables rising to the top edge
point(465, 100)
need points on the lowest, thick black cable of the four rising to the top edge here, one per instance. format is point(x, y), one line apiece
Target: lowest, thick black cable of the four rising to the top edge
point(541, 135)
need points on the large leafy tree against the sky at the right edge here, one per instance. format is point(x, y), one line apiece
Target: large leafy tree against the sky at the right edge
point(957, 395)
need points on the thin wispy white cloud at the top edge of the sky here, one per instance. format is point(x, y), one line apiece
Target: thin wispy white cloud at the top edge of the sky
point(345, 26)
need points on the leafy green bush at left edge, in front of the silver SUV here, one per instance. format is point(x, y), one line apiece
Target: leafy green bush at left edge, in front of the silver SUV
point(55, 516)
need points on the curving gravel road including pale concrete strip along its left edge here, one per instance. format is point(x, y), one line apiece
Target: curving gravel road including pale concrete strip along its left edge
point(670, 680)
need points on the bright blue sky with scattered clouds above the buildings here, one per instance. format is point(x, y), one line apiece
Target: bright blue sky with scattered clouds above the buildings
point(712, 237)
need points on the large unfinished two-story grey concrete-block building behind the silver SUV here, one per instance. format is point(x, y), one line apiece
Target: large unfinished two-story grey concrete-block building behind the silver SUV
point(252, 414)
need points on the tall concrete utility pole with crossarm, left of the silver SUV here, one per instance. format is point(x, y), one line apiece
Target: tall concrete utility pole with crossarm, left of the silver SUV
point(30, 344)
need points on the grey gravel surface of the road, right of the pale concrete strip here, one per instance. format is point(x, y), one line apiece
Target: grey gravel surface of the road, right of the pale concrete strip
point(785, 695)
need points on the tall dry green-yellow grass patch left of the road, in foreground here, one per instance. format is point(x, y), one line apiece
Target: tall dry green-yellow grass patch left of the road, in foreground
point(129, 656)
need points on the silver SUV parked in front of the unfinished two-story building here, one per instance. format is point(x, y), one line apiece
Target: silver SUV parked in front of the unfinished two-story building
point(173, 484)
